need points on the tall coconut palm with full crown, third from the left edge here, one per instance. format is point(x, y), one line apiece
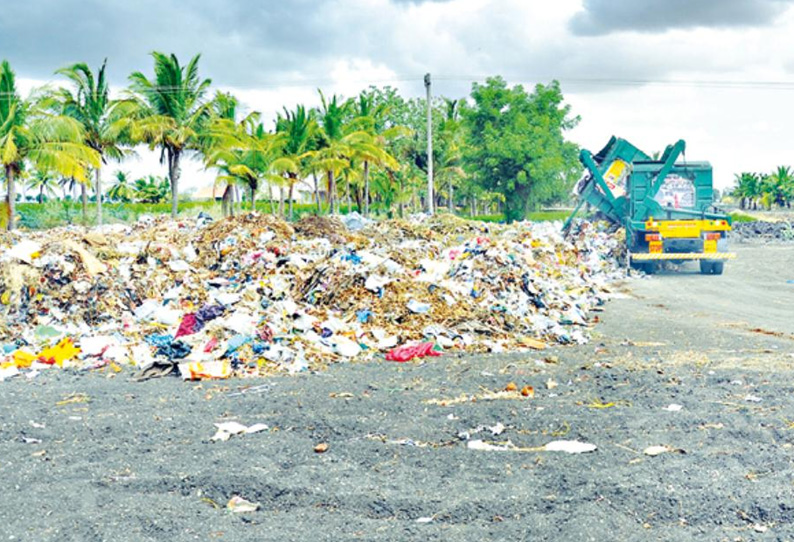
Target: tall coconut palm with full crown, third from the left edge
point(169, 112)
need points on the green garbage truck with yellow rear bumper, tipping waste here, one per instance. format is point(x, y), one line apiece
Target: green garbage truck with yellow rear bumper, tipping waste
point(665, 205)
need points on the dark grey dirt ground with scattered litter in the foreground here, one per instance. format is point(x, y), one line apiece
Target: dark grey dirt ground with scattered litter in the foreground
point(95, 457)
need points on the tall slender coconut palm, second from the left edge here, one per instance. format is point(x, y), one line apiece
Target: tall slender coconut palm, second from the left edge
point(89, 103)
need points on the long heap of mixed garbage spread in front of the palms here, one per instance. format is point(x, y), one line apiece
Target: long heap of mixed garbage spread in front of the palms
point(252, 295)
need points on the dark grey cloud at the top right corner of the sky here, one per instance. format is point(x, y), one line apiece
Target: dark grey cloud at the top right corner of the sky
point(607, 16)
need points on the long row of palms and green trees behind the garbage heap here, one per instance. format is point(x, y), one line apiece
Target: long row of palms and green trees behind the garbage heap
point(501, 151)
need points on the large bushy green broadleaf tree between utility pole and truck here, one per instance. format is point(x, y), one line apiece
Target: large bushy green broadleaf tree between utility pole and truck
point(516, 145)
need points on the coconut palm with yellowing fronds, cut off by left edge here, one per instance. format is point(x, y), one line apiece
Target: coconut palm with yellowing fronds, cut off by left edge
point(28, 131)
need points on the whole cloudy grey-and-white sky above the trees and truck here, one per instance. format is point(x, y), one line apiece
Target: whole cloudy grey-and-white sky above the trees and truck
point(717, 73)
